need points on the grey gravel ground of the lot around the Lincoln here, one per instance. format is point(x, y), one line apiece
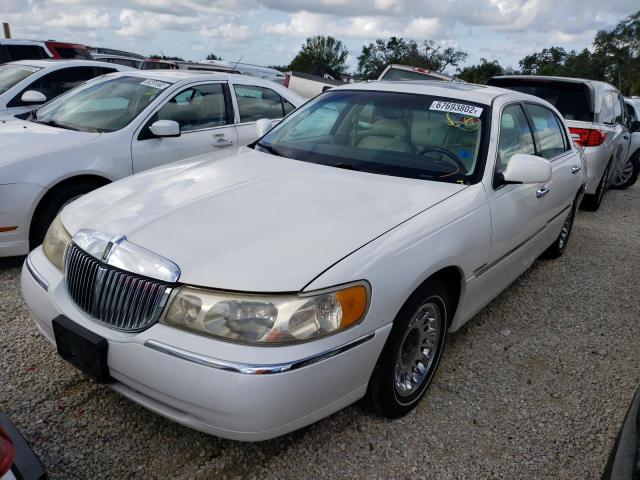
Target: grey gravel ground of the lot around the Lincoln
point(536, 386)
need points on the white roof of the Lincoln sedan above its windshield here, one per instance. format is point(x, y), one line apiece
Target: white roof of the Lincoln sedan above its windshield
point(463, 91)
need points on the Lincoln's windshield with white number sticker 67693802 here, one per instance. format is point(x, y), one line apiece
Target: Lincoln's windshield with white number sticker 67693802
point(398, 134)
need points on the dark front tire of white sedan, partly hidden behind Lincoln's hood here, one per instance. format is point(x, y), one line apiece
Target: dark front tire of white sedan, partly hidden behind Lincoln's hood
point(51, 205)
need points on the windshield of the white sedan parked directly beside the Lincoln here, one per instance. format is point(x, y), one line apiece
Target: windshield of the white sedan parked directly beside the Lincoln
point(103, 105)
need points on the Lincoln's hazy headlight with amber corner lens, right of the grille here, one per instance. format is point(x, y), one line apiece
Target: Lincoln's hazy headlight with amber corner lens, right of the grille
point(267, 319)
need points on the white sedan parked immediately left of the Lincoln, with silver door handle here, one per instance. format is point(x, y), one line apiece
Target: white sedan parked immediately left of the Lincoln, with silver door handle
point(117, 125)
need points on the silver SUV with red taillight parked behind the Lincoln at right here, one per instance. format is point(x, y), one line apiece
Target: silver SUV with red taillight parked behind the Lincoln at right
point(596, 116)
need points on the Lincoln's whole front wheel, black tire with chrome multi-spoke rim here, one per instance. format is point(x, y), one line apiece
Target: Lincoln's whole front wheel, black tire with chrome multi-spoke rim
point(427, 307)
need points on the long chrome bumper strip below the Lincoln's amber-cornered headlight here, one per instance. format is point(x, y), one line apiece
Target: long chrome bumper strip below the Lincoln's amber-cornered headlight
point(252, 369)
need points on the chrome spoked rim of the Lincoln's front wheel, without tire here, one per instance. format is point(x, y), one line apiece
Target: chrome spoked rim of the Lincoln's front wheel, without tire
point(418, 349)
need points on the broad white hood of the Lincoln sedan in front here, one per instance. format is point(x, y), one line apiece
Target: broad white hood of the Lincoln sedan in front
point(253, 221)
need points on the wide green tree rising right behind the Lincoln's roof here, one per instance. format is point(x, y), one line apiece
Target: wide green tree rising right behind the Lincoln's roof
point(377, 55)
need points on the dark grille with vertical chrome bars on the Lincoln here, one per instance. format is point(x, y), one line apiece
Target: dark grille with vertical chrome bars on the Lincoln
point(119, 299)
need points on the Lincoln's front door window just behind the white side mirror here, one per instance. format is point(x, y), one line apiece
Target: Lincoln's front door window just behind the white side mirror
point(515, 136)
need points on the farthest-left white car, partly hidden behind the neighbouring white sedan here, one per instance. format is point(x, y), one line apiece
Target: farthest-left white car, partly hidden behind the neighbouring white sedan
point(26, 84)
